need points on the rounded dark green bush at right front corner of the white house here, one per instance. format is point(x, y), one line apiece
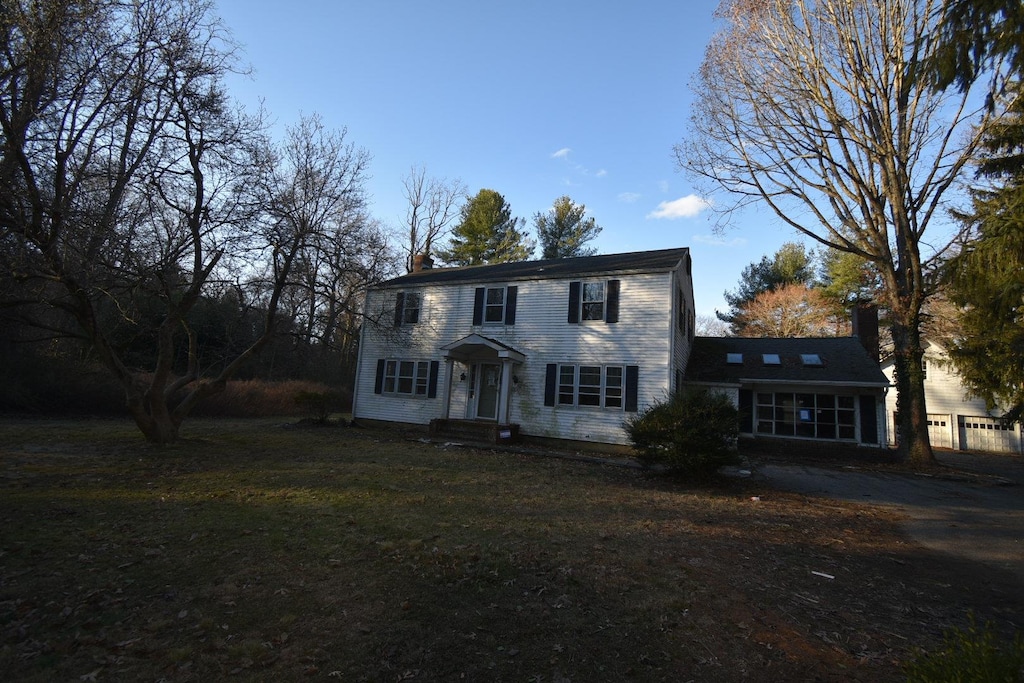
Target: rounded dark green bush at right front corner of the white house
point(693, 434)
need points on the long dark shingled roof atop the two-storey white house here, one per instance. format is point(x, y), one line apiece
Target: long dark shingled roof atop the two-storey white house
point(604, 265)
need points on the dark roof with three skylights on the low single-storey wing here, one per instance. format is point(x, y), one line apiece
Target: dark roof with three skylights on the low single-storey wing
point(843, 362)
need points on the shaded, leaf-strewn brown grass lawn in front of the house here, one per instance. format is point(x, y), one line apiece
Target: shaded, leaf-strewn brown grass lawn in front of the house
point(259, 552)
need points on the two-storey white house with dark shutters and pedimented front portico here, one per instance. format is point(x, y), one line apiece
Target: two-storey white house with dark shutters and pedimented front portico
point(561, 349)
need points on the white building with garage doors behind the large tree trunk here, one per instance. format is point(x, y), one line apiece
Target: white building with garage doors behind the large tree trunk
point(955, 419)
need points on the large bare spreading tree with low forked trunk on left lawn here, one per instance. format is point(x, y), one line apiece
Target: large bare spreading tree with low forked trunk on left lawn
point(130, 185)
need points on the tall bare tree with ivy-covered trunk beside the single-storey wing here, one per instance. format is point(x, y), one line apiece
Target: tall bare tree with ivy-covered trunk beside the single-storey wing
point(813, 108)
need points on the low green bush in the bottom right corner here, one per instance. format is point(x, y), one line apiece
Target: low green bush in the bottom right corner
point(970, 656)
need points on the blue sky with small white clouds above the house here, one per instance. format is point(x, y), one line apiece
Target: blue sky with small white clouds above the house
point(534, 100)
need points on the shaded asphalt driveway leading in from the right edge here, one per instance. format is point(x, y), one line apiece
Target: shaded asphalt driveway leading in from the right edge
point(977, 516)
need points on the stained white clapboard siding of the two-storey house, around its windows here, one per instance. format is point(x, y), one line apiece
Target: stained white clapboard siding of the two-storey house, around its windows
point(646, 336)
